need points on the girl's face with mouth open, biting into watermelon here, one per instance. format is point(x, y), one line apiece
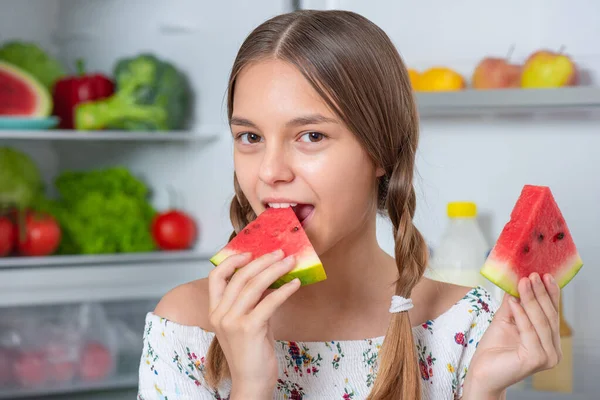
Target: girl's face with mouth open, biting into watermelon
point(290, 148)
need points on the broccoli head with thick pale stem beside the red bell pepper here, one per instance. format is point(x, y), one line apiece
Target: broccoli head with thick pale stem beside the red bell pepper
point(150, 95)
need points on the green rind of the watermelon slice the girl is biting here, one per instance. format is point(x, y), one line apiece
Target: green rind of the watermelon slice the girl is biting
point(308, 269)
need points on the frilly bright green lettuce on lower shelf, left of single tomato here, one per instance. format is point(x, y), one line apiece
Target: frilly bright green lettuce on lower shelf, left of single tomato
point(102, 211)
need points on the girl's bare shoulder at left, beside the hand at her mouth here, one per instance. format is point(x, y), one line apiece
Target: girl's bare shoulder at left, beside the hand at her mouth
point(186, 304)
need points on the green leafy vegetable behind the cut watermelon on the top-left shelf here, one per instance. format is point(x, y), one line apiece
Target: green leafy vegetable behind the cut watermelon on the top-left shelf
point(33, 59)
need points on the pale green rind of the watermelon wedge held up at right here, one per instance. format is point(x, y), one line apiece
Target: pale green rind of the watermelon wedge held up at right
point(499, 273)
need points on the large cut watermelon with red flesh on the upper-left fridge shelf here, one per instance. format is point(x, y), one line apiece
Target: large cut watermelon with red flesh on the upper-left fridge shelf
point(22, 95)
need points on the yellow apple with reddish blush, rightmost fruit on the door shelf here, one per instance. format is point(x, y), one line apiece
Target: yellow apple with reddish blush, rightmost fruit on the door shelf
point(549, 69)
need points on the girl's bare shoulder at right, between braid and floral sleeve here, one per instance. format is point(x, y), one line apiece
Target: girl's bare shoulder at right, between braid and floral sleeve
point(439, 296)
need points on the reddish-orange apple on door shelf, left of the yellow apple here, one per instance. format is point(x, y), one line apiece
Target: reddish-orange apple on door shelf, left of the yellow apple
point(496, 73)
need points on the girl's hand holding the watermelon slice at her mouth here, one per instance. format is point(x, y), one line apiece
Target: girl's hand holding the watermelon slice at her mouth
point(240, 318)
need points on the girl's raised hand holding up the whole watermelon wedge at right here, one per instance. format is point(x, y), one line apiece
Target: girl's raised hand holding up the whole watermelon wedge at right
point(522, 339)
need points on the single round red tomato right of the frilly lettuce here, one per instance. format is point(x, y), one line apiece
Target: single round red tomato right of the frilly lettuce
point(174, 230)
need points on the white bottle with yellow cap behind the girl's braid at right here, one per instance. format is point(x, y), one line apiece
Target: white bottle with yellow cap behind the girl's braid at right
point(462, 250)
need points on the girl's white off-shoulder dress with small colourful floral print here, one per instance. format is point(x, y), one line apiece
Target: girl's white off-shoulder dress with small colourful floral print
point(173, 359)
